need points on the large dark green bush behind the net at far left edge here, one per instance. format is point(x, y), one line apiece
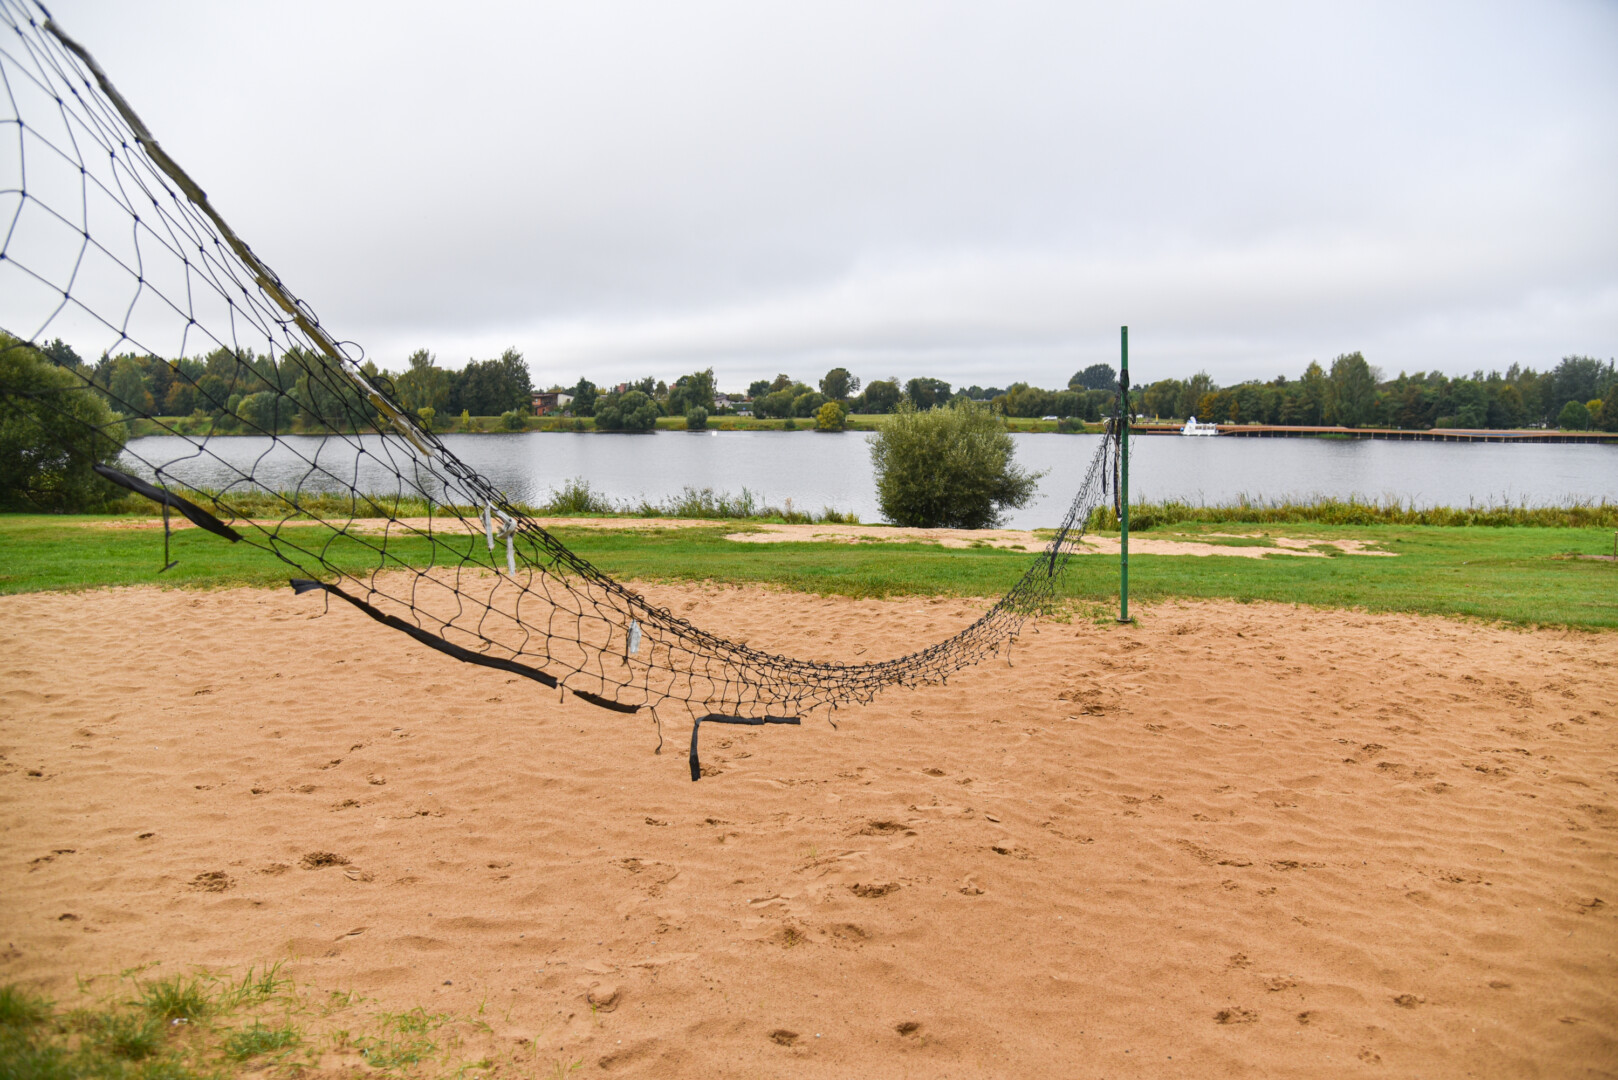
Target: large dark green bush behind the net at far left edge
point(53, 432)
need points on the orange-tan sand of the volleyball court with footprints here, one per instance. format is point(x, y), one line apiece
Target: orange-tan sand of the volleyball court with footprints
point(1229, 841)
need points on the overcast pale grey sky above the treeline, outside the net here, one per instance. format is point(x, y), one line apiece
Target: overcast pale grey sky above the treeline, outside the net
point(981, 193)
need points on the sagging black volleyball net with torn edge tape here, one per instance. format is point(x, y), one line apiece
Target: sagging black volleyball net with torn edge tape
point(108, 240)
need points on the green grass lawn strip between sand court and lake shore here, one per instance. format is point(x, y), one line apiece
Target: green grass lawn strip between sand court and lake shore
point(1509, 574)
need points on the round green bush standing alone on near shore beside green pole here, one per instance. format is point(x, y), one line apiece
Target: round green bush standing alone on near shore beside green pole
point(947, 467)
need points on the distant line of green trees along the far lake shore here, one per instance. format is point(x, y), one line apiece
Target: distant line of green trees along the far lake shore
point(234, 389)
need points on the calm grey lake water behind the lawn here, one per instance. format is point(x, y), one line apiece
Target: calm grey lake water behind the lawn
point(834, 470)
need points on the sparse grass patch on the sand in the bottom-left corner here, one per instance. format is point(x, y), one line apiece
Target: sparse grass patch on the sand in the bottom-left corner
point(203, 1026)
